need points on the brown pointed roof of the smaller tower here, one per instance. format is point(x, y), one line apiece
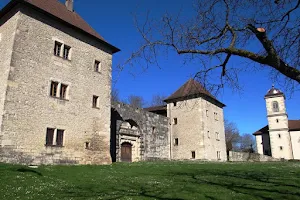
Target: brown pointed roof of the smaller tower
point(191, 89)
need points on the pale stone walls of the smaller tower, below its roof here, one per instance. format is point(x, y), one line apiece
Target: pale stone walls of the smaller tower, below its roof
point(195, 117)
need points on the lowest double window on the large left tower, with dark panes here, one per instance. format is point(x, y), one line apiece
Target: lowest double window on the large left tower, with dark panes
point(56, 135)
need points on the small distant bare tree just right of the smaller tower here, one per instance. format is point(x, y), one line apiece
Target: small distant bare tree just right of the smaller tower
point(232, 136)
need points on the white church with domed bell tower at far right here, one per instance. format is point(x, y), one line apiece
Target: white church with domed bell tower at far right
point(281, 137)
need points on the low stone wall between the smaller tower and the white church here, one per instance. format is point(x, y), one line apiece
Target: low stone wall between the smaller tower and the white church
point(244, 156)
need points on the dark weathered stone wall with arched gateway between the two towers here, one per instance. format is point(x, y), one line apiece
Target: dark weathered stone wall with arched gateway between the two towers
point(152, 132)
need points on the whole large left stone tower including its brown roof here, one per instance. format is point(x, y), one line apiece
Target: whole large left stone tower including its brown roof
point(55, 85)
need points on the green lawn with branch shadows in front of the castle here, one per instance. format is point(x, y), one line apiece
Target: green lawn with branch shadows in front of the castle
point(152, 180)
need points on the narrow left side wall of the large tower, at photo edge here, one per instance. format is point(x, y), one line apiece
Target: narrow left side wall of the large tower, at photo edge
point(8, 25)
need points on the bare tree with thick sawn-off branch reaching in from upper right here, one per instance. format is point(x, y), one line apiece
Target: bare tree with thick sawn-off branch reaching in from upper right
point(264, 32)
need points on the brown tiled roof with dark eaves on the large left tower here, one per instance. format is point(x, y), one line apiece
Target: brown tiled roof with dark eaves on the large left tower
point(60, 12)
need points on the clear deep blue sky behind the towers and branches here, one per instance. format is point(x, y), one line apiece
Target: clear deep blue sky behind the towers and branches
point(114, 21)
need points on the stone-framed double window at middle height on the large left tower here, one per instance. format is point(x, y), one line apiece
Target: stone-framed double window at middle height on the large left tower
point(59, 90)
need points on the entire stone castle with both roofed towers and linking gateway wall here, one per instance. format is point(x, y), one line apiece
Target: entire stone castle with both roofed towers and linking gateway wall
point(55, 98)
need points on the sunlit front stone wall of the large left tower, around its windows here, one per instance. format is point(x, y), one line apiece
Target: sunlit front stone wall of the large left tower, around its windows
point(29, 109)
